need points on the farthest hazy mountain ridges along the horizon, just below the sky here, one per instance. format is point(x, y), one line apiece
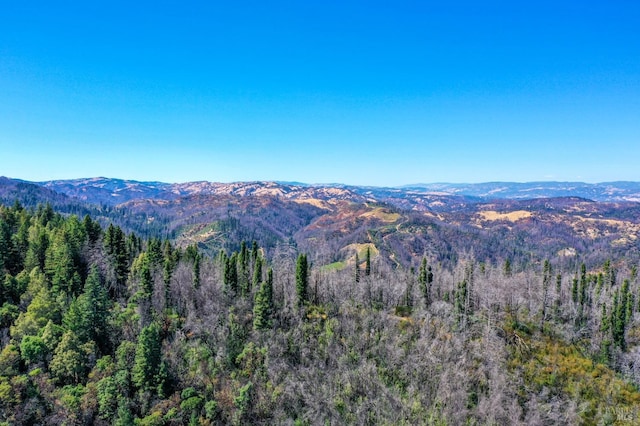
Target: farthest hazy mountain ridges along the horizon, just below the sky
point(117, 191)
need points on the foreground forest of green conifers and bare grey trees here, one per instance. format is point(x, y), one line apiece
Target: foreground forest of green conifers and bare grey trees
point(102, 326)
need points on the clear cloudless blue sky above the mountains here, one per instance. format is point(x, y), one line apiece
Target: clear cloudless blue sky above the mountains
point(379, 93)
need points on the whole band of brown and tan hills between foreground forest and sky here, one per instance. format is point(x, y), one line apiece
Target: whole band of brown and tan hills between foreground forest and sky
point(496, 220)
